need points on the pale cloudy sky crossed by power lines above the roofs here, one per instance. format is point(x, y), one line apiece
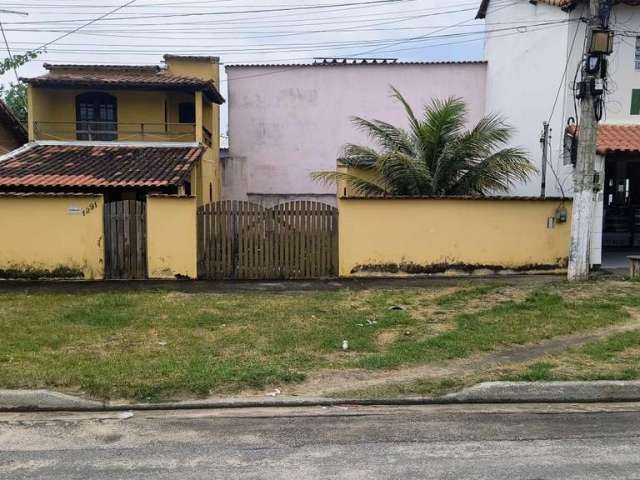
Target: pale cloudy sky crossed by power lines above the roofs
point(240, 31)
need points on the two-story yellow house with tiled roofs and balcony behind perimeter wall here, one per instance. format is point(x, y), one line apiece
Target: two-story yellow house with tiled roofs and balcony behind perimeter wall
point(124, 131)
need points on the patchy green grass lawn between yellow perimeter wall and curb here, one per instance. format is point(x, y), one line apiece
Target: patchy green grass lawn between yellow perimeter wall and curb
point(162, 345)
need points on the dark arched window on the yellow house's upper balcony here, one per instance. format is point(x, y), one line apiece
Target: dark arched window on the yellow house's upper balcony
point(96, 116)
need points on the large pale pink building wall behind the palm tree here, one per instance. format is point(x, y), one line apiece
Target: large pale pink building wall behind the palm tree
point(286, 122)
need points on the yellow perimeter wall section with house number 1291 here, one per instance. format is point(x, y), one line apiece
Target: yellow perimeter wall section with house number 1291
point(40, 233)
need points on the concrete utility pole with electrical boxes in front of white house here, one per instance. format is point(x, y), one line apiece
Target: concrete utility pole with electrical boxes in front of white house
point(590, 94)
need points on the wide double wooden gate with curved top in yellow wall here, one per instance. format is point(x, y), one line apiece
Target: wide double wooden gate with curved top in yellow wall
point(242, 240)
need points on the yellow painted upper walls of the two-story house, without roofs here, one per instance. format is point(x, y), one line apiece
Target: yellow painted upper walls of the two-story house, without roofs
point(144, 116)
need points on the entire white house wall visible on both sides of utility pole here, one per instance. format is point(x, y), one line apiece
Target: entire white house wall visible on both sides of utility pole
point(525, 70)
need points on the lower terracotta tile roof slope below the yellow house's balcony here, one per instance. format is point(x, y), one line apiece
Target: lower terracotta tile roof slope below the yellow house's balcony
point(42, 166)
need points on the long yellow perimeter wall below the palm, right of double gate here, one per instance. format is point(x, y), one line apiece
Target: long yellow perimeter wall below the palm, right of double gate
point(376, 234)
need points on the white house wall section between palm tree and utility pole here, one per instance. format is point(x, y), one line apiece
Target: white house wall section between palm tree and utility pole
point(524, 73)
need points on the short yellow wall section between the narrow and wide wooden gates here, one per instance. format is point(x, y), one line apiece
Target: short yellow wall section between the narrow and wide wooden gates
point(171, 237)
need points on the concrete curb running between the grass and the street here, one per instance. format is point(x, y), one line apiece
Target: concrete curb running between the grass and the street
point(491, 392)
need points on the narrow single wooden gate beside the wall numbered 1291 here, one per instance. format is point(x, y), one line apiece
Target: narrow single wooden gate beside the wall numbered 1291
point(125, 232)
